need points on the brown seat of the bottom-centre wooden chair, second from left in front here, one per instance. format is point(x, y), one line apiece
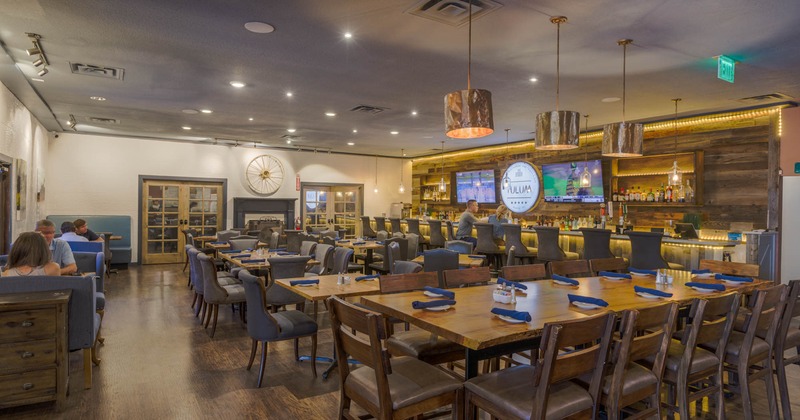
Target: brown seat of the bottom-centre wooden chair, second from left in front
point(512, 389)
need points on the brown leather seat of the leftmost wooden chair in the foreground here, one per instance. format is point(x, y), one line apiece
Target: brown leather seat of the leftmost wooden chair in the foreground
point(411, 381)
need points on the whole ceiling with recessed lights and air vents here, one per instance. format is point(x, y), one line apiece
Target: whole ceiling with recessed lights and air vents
point(180, 55)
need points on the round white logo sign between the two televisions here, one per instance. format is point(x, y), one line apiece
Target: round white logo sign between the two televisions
point(520, 187)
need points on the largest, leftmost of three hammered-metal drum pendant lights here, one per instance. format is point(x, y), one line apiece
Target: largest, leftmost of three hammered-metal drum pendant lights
point(468, 113)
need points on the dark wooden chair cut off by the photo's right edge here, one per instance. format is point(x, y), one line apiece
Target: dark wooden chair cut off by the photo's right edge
point(788, 340)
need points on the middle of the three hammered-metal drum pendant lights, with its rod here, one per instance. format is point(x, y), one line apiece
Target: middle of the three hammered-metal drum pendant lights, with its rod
point(557, 130)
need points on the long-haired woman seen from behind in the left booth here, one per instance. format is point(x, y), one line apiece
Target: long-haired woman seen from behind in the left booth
point(30, 256)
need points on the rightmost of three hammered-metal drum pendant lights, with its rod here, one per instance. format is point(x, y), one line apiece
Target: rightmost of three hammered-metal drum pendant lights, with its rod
point(623, 139)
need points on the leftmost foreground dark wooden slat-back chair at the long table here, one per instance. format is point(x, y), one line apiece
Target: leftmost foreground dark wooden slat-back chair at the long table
point(387, 388)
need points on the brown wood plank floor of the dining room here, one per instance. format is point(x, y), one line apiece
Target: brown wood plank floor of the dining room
point(158, 362)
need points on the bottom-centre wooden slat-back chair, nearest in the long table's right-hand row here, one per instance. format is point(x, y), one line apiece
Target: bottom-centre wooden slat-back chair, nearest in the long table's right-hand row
point(546, 389)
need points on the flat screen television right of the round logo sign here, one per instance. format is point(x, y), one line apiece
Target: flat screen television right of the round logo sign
point(562, 182)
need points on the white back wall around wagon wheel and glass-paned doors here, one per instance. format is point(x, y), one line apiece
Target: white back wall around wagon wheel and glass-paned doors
point(99, 175)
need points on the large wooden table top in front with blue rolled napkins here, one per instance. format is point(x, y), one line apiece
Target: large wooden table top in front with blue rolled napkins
point(471, 324)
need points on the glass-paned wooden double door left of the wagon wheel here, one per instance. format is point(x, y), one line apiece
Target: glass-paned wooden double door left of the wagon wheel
point(170, 207)
